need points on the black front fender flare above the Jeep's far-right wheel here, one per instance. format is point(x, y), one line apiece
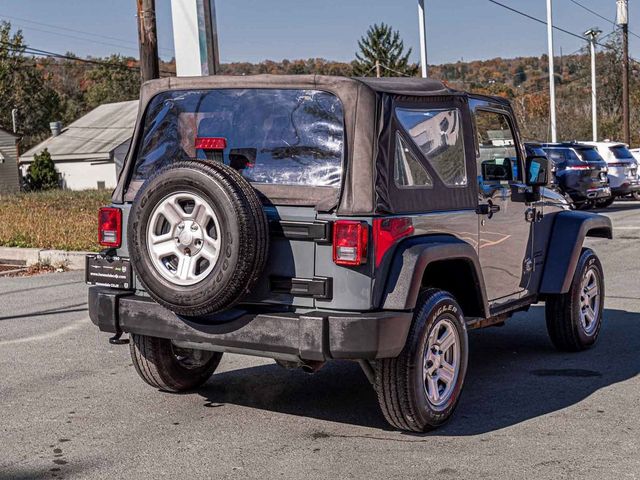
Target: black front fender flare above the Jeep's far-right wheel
point(569, 230)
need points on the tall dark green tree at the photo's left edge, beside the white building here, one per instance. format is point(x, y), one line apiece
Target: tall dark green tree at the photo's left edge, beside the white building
point(23, 86)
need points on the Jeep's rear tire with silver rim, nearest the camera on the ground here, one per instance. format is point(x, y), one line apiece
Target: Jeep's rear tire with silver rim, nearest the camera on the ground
point(419, 390)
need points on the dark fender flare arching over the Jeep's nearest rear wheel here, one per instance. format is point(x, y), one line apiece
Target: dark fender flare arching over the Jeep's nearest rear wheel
point(411, 260)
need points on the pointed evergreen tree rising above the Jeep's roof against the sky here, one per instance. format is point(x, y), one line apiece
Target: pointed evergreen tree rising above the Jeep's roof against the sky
point(383, 46)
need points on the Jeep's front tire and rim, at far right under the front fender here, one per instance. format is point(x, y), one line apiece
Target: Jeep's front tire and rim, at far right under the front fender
point(574, 319)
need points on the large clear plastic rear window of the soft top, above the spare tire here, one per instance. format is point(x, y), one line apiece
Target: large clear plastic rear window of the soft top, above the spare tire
point(272, 136)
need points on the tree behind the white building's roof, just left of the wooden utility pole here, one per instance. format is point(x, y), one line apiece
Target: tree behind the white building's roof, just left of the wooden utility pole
point(113, 81)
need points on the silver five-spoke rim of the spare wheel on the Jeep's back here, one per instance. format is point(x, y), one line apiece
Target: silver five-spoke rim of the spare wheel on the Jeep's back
point(183, 238)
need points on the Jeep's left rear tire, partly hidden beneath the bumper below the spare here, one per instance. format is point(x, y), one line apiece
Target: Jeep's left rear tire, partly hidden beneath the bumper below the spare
point(167, 367)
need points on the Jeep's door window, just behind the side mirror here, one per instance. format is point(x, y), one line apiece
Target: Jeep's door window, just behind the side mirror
point(497, 154)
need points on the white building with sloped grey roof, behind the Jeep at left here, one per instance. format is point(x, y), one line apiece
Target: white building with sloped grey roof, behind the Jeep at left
point(88, 152)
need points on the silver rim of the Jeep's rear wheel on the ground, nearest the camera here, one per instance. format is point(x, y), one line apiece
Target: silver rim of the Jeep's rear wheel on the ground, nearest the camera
point(441, 365)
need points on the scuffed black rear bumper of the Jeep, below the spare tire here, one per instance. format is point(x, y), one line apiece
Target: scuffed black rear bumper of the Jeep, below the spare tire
point(314, 335)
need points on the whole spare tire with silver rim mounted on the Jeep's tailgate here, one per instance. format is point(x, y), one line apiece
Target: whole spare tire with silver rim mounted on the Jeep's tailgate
point(197, 237)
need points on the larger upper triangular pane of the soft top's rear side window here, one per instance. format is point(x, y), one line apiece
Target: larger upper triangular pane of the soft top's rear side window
point(438, 135)
